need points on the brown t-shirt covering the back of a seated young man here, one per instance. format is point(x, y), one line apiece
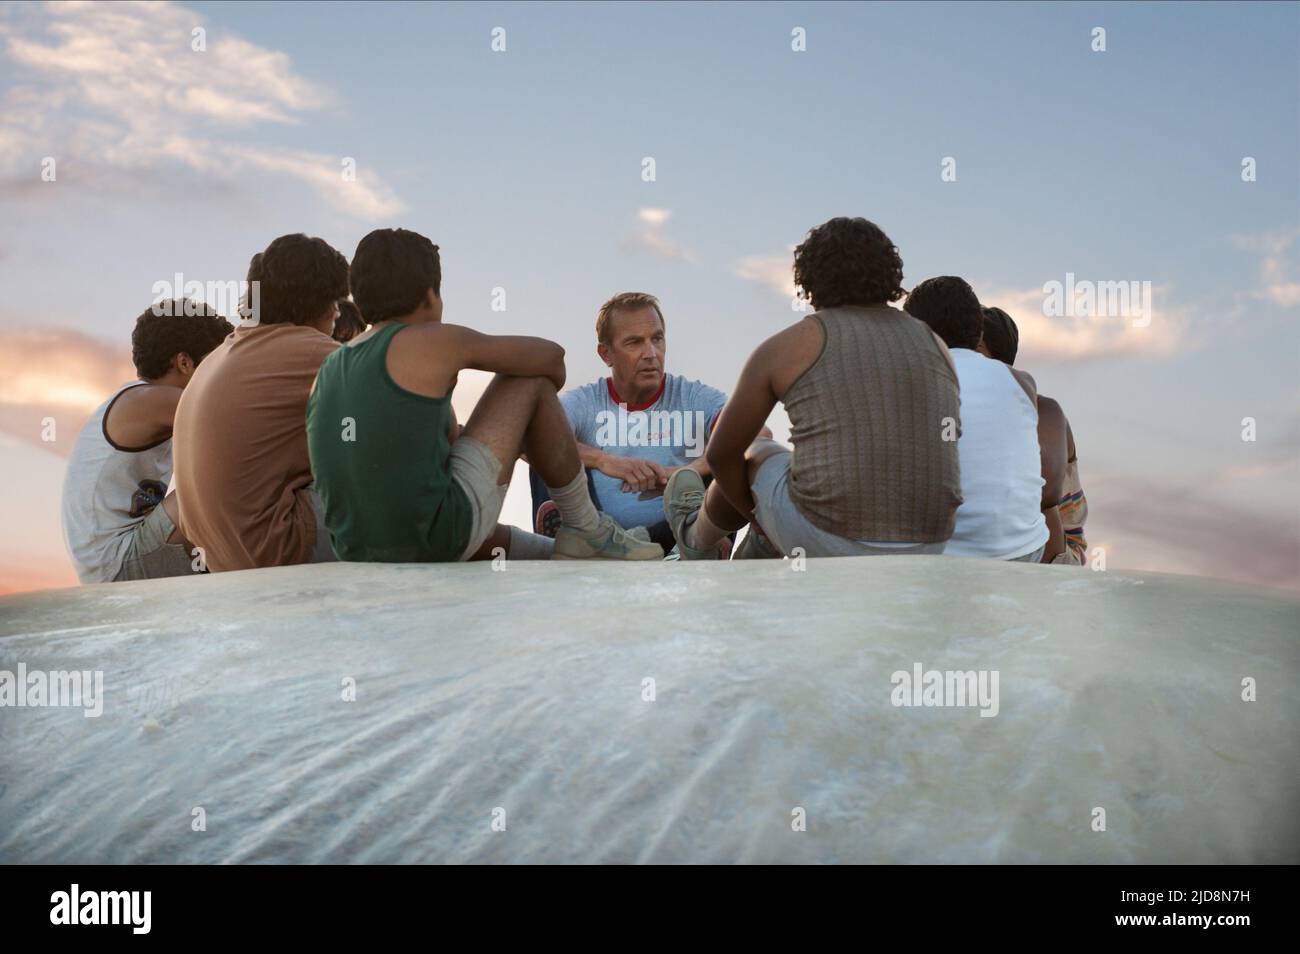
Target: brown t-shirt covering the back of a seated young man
point(241, 449)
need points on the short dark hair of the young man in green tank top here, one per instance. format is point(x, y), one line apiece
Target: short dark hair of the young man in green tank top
point(392, 272)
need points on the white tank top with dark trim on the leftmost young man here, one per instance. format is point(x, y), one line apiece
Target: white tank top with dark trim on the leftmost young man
point(107, 492)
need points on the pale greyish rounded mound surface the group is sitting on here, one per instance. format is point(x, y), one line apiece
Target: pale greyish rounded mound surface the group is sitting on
point(525, 691)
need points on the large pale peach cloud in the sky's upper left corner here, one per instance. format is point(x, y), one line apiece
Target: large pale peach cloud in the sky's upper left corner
point(114, 89)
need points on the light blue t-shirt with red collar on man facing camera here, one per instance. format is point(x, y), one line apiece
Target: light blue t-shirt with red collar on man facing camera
point(671, 431)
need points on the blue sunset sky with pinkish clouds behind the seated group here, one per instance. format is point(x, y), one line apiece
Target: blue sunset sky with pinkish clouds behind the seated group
point(998, 142)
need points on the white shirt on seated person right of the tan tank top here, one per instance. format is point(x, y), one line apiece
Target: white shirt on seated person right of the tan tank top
point(1002, 515)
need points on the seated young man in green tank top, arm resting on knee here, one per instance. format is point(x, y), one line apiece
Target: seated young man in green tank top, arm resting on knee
point(400, 480)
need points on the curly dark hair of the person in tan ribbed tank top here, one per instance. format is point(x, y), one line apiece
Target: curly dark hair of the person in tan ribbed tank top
point(848, 262)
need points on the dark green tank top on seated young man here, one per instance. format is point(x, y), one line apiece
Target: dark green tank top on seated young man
point(382, 462)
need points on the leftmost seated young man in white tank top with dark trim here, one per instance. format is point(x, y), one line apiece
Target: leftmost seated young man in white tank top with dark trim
point(119, 518)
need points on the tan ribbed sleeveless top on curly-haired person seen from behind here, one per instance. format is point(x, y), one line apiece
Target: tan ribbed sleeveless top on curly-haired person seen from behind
point(868, 422)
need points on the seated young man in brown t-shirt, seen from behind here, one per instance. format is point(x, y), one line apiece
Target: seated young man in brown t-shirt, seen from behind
point(242, 471)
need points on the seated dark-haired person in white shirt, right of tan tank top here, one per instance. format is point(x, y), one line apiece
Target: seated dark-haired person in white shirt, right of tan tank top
point(1009, 480)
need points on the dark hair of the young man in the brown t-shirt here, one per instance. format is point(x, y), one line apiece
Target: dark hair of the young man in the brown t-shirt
point(301, 277)
